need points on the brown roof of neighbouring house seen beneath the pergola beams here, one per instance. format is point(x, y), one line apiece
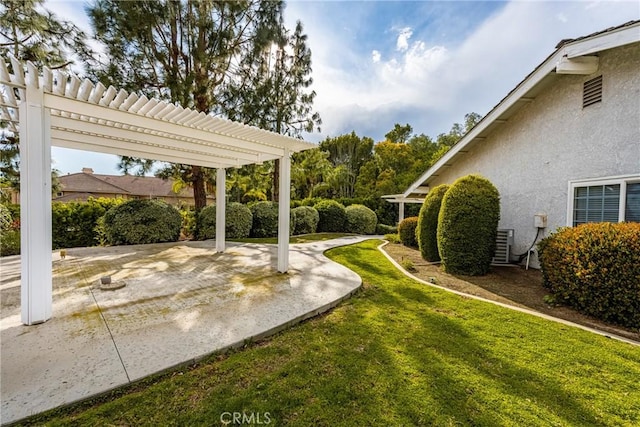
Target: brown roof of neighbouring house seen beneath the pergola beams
point(86, 184)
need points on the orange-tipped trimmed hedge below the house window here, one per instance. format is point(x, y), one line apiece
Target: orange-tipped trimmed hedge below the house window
point(595, 268)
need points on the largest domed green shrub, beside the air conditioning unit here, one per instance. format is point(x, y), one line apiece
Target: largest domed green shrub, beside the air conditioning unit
point(468, 225)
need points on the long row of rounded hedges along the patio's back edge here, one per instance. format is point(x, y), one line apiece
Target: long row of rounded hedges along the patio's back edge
point(119, 222)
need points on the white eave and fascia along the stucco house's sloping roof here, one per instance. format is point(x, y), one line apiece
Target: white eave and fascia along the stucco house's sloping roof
point(572, 56)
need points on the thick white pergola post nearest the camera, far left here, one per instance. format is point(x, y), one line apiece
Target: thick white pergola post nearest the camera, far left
point(35, 206)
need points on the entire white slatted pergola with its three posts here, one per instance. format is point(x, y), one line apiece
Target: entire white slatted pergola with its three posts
point(53, 108)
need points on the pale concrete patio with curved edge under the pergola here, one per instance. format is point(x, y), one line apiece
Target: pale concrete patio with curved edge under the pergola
point(182, 301)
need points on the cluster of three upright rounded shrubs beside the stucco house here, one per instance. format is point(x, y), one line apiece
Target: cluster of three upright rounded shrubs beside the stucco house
point(457, 225)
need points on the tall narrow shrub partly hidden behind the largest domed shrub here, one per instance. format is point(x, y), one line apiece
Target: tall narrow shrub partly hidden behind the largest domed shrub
point(426, 233)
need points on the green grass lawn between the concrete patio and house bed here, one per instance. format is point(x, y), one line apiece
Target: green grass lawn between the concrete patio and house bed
point(398, 353)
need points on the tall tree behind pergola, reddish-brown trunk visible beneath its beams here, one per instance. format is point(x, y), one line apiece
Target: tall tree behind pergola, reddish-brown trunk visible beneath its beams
point(180, 51)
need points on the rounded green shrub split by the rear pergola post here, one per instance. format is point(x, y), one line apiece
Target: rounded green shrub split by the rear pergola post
point(238, 220)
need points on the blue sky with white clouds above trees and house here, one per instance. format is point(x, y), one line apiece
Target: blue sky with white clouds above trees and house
point(424, 63)
